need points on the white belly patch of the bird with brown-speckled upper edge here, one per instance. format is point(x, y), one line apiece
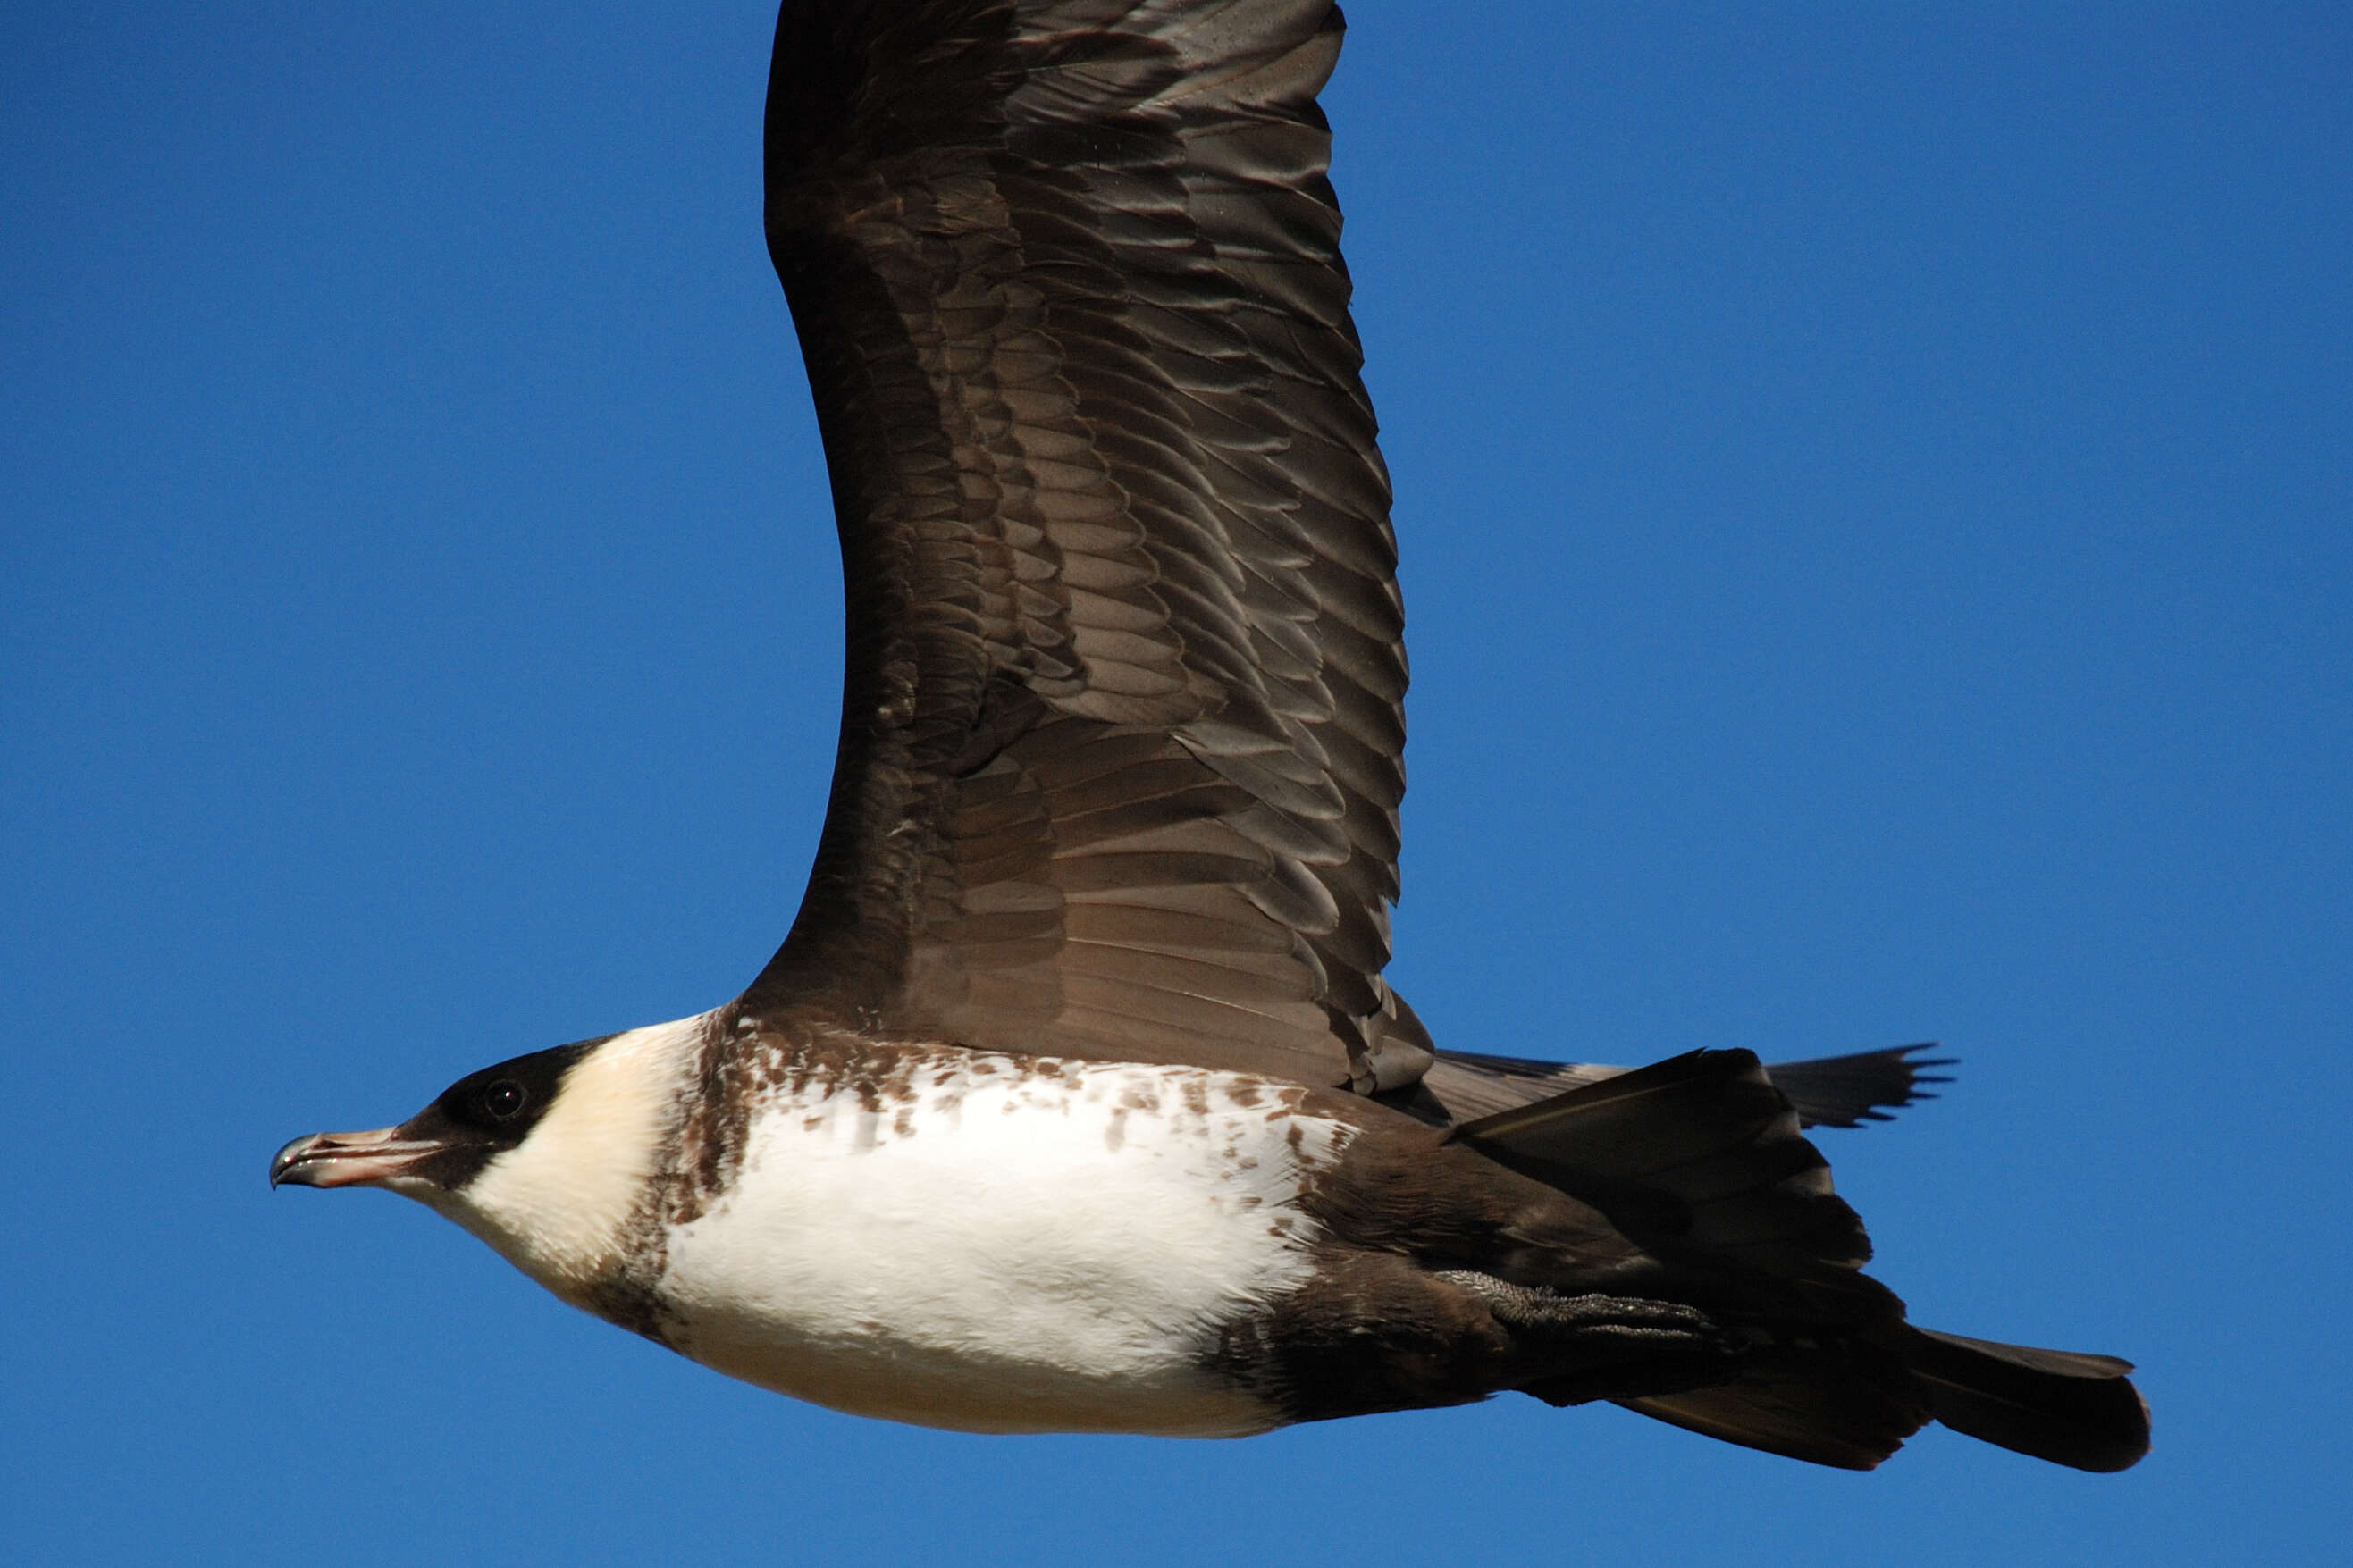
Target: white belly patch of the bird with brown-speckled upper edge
point(1018, 1247)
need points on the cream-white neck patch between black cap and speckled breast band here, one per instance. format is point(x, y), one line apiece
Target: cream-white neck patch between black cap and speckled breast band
point(561, 1205)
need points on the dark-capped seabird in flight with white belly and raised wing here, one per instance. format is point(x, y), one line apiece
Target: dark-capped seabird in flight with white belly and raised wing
point(1076, 1101)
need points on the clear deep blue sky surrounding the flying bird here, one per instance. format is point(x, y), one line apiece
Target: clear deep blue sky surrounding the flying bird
point(1874, 492)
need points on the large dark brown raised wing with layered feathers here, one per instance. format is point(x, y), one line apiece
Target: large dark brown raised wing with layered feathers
point(1121, 730)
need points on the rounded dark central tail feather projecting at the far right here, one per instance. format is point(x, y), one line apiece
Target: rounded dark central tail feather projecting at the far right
point(2053, 1405)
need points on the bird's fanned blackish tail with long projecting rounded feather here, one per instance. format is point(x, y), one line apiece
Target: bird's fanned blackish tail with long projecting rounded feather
point(1700, 1158)
